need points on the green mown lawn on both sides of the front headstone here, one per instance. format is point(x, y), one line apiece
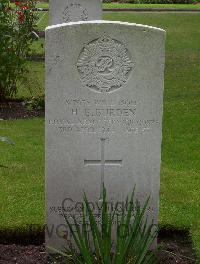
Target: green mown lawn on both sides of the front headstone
point(22, 179)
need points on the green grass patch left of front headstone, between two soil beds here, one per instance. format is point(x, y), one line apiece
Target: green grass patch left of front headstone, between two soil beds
point(22, 175)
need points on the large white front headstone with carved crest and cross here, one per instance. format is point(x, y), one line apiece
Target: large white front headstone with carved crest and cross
point(104, 100)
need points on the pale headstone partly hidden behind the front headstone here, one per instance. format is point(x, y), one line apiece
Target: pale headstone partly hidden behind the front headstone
point(64, 11)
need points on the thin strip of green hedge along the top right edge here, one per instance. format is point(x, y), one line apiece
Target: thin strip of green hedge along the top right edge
point(152, 1)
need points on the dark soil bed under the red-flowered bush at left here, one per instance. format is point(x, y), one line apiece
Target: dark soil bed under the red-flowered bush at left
point(17, 110)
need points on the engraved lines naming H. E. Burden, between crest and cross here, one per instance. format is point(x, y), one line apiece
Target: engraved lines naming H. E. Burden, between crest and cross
point(82, 115)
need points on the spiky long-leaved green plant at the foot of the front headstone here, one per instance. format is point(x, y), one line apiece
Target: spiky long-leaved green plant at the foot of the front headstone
point(134, 235)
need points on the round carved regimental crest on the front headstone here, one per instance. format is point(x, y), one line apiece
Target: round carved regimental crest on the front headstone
point(104, 65)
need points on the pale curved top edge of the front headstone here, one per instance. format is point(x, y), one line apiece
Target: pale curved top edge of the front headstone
point(104, 22)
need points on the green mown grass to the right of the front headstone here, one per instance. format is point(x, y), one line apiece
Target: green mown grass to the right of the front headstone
point(180, 171)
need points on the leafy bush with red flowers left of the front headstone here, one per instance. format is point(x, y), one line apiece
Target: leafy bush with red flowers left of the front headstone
point(16, 34)
